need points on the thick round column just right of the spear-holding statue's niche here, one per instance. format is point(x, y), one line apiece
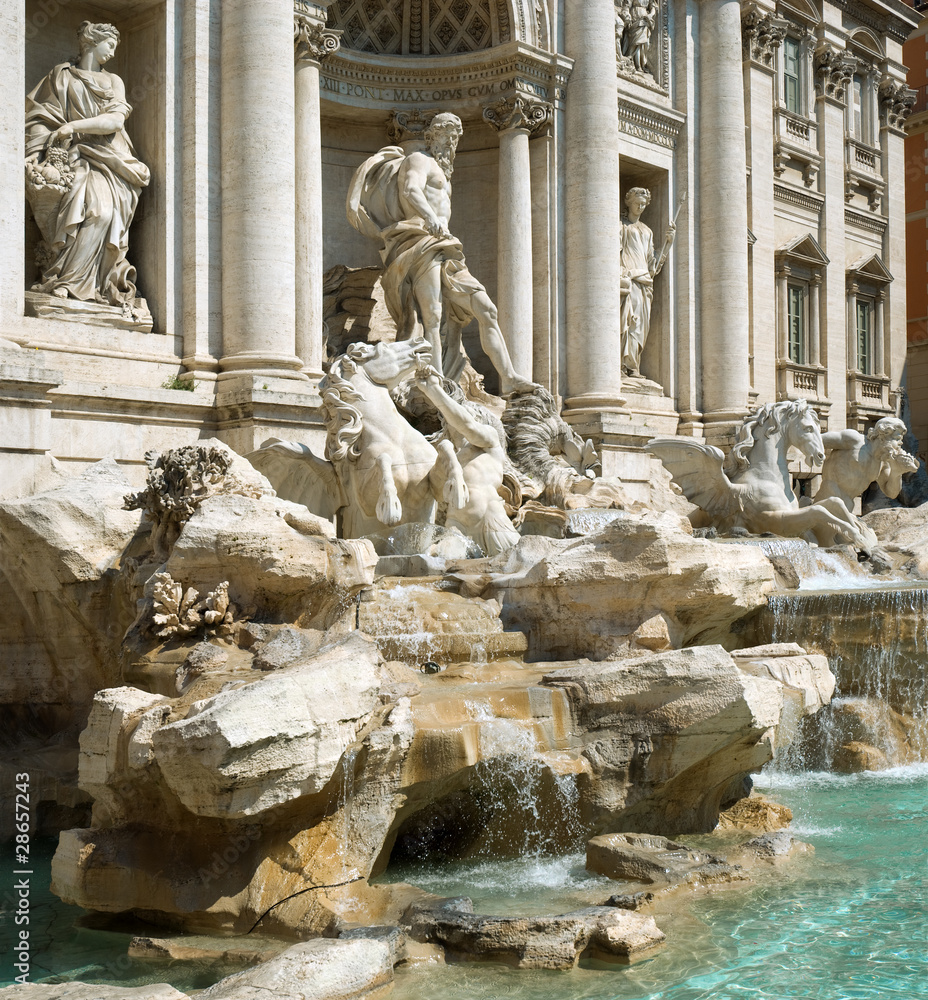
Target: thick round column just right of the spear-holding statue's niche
point(723, 237)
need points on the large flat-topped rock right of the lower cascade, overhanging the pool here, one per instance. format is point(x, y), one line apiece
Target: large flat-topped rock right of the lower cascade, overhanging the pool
point(668, 734)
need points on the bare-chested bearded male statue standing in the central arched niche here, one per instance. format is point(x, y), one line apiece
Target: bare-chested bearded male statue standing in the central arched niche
point(402, 197)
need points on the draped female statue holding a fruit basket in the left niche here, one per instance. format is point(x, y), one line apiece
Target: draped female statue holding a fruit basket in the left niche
point(83, 179)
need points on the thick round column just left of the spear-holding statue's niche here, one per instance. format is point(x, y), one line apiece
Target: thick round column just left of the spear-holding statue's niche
point(594, 333)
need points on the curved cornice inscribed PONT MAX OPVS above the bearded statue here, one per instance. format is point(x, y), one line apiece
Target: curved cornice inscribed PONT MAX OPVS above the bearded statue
point(459, 83)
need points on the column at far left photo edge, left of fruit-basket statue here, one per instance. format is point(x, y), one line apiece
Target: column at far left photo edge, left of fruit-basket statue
point(12, 153)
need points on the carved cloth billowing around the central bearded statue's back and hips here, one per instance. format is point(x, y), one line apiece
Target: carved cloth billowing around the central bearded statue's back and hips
point(410, 251)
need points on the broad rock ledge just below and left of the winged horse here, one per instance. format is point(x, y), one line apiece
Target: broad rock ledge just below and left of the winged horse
point(641, 582)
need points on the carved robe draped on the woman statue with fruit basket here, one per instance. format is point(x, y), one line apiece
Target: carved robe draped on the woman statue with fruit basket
point(87, 230)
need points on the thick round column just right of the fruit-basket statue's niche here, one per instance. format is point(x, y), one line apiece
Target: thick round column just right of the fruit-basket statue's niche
point(258, 194)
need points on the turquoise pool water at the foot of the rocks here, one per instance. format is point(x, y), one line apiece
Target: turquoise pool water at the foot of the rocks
point(847, 923)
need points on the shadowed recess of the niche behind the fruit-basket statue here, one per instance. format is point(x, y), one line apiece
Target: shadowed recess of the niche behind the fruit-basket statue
point(145, 60)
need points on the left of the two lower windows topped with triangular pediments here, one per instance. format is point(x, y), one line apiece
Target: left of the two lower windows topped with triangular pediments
point(800, 272)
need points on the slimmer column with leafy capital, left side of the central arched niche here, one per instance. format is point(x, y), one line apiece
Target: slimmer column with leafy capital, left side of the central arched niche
point(313, 43)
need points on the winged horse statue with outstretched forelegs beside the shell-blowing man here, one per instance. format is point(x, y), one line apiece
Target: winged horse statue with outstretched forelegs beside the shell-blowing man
point(757, 494)
